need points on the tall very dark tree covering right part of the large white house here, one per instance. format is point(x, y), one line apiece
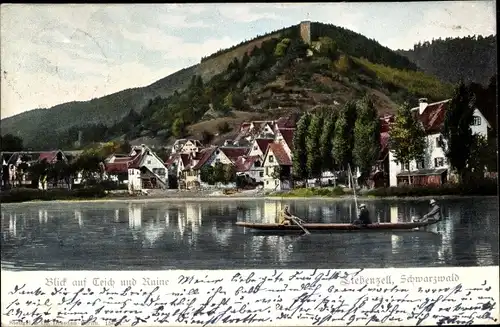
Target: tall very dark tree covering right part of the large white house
point(456, 130)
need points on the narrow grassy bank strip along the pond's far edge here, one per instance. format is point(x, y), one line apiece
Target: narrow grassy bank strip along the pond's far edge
point(329, 194)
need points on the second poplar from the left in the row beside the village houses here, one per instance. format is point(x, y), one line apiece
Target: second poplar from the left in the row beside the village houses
point(313, 159)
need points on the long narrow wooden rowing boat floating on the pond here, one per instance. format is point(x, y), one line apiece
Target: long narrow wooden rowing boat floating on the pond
point(323, 227)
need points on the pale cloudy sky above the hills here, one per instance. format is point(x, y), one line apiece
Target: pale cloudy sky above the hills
point(52, 54)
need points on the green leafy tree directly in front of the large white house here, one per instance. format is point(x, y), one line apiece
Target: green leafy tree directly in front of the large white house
point(406, 137)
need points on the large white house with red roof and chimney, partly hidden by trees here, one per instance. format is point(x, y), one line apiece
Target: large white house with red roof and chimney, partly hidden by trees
point(434, 168)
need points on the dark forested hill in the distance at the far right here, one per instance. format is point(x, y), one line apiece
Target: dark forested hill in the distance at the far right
point(473, 58)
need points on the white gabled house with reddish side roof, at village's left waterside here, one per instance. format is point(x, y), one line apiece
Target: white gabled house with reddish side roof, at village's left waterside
point(144, 168)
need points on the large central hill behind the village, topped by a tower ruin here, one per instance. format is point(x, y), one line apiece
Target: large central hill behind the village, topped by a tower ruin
point(271, 75)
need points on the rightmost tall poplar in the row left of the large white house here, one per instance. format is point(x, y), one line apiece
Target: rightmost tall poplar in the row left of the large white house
point(366, 137)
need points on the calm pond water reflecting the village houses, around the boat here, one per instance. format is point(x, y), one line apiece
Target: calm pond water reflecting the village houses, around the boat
point(203, 235)
